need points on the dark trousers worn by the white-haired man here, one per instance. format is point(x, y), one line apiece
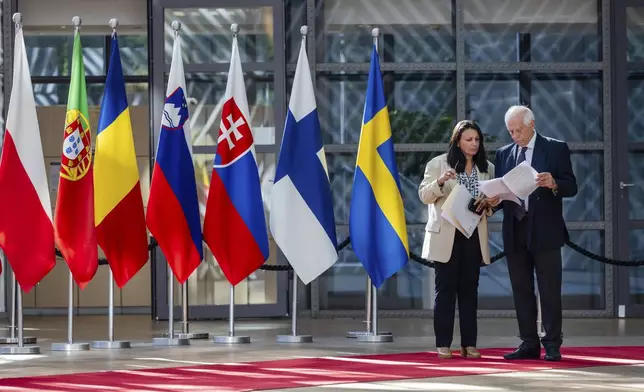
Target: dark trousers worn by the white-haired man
point(521, 265)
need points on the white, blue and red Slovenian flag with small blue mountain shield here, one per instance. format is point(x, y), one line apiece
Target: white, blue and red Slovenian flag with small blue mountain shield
point(173, 209)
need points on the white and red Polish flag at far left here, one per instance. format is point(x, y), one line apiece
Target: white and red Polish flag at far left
point(26, 230)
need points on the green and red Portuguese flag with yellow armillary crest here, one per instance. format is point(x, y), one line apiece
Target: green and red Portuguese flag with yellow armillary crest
point(74, 215)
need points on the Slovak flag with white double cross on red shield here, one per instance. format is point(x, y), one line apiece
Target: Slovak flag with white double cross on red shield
point(234, 224)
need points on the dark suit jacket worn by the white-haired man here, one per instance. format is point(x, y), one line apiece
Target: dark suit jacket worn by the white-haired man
point(546, 227)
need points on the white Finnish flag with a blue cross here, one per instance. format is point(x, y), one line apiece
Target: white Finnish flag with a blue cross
point(302, 221)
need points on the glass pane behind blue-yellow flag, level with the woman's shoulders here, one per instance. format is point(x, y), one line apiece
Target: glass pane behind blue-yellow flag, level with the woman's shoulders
point(411, 168)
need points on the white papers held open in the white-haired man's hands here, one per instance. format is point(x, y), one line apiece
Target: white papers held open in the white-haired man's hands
point(519, 182)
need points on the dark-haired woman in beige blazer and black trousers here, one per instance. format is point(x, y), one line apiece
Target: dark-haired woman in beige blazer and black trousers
point(457, 258)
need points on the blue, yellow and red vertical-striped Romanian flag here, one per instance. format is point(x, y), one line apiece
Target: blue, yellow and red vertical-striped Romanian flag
point(119, 215)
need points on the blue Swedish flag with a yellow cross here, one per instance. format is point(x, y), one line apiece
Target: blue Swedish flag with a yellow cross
point(377, 217)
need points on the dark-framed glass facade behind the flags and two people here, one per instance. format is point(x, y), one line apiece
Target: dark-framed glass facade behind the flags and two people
point(442, 61)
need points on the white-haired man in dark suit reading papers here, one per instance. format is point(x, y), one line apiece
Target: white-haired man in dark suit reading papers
point(534, 232)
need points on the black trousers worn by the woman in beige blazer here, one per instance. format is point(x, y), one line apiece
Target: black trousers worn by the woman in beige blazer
point(459, 277)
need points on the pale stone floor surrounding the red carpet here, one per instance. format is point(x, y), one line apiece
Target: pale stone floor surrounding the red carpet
point(410, 335)
